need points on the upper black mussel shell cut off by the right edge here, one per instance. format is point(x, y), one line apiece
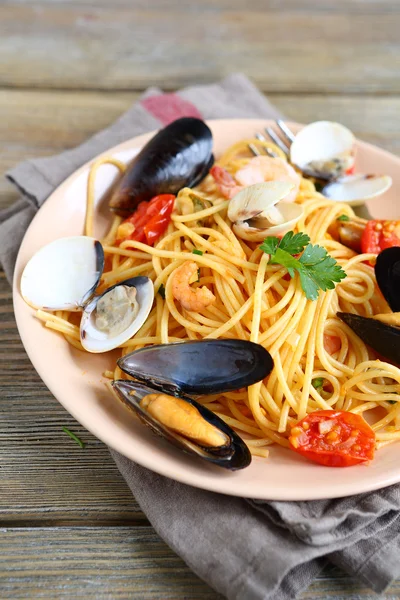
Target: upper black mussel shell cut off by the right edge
point(387, 272)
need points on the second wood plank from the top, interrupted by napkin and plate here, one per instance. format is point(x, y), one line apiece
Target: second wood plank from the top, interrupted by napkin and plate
point(39, 123)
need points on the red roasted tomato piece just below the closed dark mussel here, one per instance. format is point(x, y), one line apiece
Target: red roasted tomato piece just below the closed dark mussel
point(150, 220)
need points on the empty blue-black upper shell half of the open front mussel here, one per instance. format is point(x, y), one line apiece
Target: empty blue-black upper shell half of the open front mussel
point(199, 367)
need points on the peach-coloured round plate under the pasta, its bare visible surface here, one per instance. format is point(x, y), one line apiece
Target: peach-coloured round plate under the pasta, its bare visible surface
point(75, 377)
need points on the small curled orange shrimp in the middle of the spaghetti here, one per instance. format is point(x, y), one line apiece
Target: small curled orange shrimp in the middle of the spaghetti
point(192, 299)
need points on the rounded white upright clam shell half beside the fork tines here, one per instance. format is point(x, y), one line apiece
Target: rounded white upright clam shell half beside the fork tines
point(321, 142)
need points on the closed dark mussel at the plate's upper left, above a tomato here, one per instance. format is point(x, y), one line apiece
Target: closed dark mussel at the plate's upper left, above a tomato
point(179, 155)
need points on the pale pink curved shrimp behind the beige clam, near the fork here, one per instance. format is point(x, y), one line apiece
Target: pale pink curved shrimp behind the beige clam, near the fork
point(257, 170)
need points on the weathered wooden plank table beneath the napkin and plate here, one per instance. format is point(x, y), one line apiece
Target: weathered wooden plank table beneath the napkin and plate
point(70, 527)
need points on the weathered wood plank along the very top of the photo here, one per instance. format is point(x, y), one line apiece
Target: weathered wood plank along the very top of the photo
point(70, 46)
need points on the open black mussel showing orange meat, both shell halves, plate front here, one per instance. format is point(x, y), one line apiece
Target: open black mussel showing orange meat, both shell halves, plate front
point(166, 374)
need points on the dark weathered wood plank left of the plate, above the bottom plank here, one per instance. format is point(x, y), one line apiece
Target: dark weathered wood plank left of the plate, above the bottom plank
point(44, 475)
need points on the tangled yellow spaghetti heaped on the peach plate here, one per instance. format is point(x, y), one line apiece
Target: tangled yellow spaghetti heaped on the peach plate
point(257, 301)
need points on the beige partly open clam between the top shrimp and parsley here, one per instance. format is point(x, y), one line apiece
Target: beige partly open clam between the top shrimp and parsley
point(260, 210)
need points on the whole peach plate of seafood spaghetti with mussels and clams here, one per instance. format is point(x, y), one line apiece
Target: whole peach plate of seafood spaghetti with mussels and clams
point(255, 287)
